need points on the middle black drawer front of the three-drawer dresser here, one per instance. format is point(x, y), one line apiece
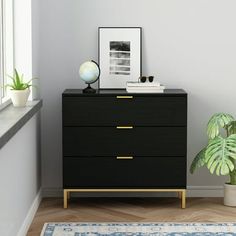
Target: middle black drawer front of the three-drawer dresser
point(110, 141)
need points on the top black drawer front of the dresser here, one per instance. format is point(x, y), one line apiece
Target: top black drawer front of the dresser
point(111, 111)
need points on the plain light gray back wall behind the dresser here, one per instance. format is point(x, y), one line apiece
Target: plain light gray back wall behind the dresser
point(188, 44)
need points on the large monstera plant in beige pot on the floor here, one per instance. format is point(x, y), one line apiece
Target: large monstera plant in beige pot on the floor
point(219, 155)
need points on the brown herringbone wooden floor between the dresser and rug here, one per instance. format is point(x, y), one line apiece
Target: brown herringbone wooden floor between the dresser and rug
point(131, 210)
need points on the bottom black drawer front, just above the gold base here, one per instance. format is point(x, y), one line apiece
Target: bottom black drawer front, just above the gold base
point(108, 172)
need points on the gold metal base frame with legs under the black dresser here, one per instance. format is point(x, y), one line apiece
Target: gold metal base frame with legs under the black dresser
point(181, 193)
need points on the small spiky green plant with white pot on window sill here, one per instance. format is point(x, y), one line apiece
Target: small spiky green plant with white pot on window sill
point(19, 90)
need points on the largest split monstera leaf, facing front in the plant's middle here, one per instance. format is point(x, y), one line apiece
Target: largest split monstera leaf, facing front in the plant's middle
point(220, 154)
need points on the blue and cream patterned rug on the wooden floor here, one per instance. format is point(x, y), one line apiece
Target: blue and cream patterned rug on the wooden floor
point(139, 229)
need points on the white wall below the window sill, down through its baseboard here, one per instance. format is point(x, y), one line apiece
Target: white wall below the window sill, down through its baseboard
point(20, 178)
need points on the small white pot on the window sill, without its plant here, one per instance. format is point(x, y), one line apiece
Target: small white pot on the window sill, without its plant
point(19, 97)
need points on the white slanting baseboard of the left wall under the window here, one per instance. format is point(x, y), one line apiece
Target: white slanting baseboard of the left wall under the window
point(30, 215)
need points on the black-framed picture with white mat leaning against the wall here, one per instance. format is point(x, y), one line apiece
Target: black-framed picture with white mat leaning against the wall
point(120, 56)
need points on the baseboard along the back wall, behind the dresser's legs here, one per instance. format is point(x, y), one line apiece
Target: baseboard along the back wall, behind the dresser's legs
point(192, 191)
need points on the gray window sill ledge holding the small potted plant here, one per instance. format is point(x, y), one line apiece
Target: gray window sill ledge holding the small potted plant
point(12, 119)
